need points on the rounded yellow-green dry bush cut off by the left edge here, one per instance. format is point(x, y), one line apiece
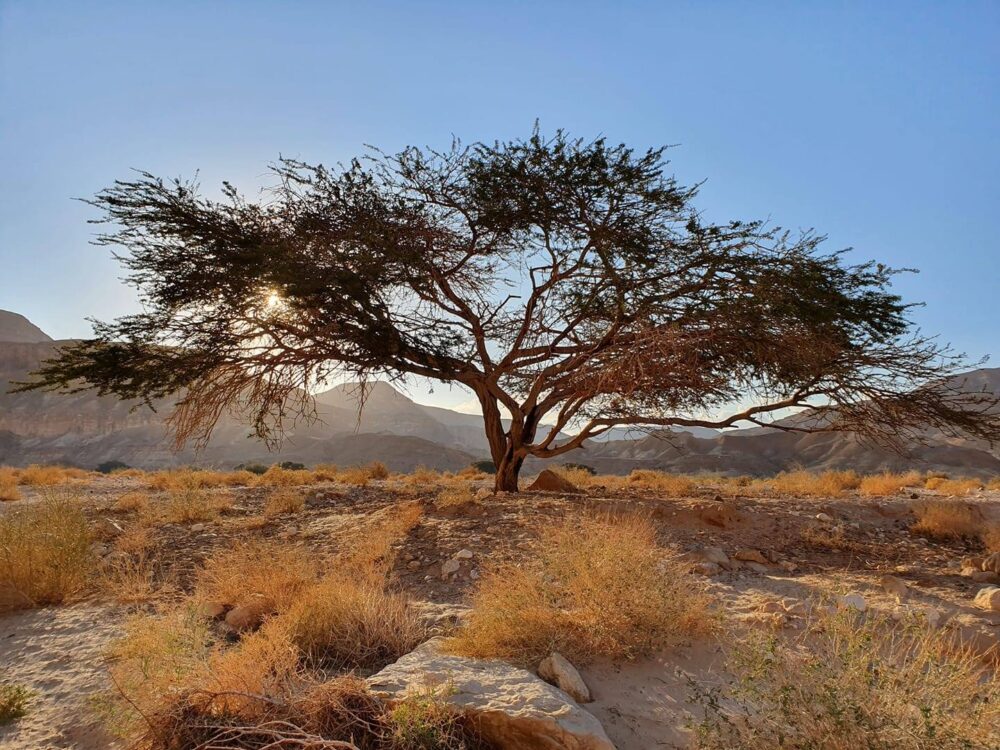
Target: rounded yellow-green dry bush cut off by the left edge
point(45, 553)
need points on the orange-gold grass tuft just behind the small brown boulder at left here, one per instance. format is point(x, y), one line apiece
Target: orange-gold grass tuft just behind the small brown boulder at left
point(257, 572)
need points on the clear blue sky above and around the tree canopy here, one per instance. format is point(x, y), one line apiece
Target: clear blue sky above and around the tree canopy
point(875, 123)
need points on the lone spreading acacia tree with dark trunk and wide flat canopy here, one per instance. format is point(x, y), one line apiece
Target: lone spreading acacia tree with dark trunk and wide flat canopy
point(569, 284)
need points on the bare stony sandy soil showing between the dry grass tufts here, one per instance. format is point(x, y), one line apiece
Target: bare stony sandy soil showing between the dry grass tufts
point(58, 652)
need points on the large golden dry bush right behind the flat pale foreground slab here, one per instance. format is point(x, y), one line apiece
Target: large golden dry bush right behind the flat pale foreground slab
point(598, 588)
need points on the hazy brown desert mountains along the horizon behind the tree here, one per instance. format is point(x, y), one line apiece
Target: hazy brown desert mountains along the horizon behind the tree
point(85, 430)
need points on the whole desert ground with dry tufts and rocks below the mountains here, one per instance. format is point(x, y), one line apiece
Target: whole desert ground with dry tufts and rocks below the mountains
point(140, 607)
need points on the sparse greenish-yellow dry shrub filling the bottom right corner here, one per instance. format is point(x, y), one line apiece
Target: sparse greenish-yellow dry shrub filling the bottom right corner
point(852, 683)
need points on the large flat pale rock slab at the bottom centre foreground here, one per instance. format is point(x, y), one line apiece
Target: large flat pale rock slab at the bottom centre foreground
point(513, 709)
